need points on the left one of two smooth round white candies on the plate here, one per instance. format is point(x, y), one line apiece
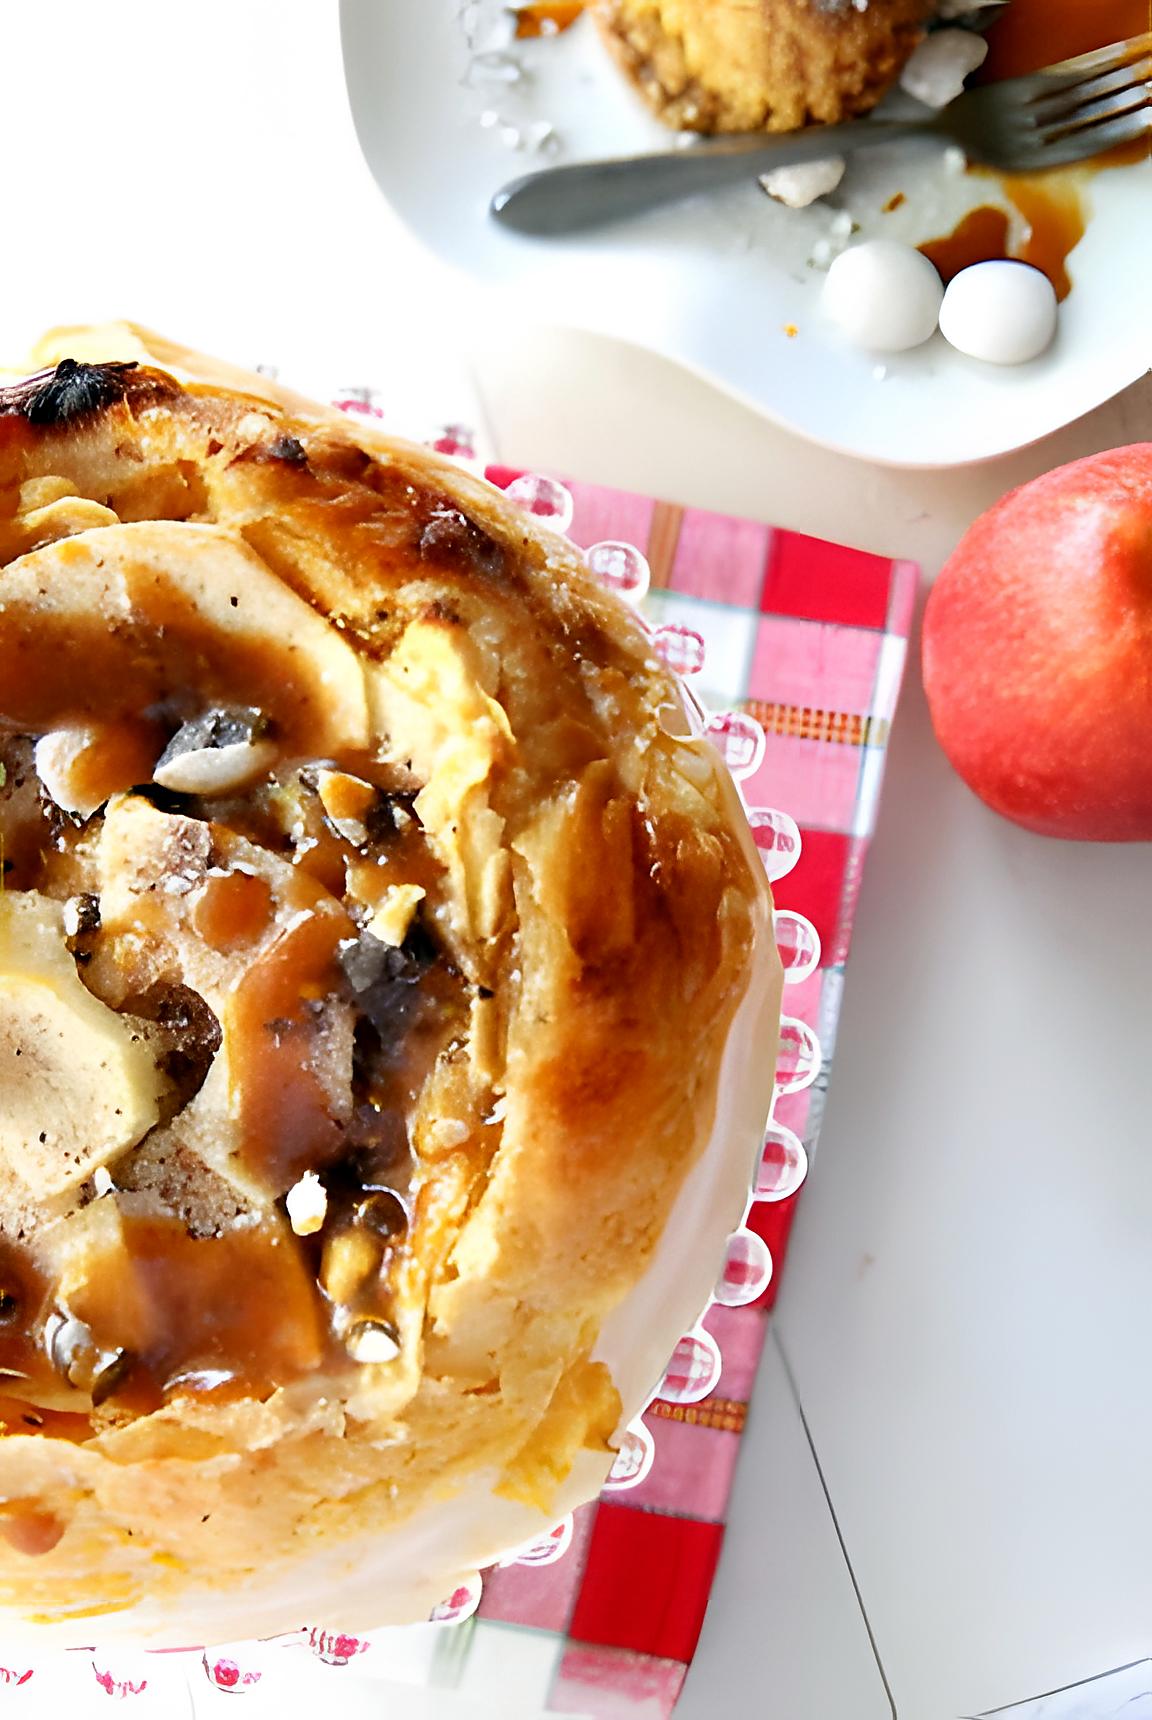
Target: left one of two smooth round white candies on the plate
point(883, 297)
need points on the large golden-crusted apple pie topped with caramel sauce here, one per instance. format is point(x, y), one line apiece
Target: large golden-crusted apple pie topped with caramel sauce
point(460, 945)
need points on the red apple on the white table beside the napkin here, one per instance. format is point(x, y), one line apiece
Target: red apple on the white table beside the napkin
point(1038, 651)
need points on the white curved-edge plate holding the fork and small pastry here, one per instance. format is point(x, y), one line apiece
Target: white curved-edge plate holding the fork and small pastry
point(716, 285)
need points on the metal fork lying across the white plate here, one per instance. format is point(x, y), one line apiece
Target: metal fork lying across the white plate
point(1062, 114)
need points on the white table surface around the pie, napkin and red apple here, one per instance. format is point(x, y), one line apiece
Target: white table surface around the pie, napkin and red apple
point(965, 1305)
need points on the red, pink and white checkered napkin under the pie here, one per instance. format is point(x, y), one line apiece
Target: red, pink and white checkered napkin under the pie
point(811, 641)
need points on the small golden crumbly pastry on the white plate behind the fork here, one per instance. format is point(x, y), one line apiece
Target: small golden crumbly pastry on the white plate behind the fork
point(761, 64)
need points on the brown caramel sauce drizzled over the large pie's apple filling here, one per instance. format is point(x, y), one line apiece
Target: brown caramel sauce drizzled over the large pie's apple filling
point(243, 1311)
